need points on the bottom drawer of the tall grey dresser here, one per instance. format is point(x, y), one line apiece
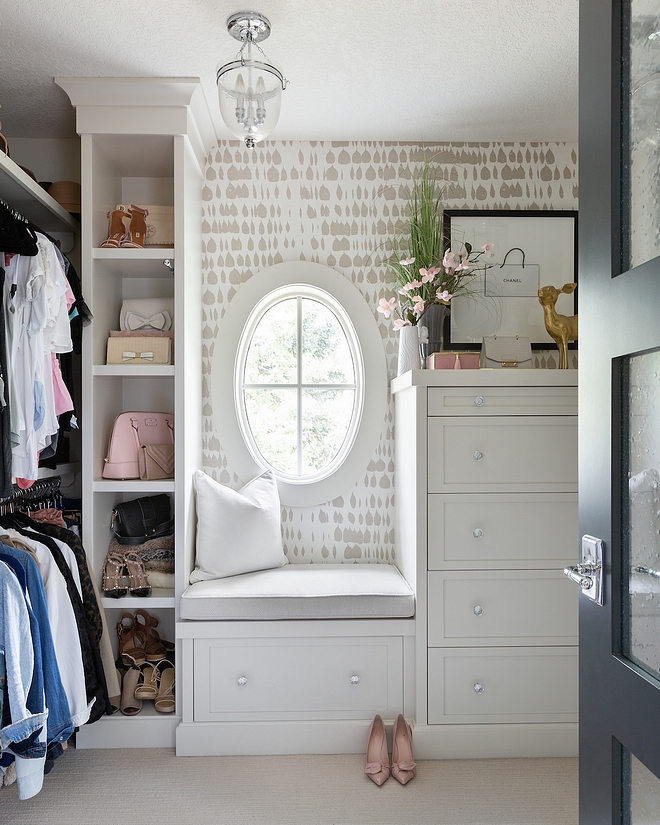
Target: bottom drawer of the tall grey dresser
point(503, 685)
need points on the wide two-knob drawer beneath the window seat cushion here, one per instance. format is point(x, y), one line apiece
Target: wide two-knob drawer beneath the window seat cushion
point(296, 678)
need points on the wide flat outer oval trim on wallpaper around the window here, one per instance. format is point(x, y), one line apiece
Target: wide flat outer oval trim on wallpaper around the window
point(374, 403)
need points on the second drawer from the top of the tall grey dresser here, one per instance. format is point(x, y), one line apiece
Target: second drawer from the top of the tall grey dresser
point(525, 454)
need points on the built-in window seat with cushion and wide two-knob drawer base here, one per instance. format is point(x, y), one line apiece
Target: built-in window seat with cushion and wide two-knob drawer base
point(297, 659)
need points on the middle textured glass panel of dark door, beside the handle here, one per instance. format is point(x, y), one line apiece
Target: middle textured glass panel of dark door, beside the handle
point(641, 514)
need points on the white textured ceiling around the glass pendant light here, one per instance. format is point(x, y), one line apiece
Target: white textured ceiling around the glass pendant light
point(403, 70)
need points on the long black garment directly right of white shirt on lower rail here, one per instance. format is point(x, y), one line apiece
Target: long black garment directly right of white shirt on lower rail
point(95, 684)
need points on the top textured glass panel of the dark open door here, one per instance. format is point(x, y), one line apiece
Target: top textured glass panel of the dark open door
point(641, 131)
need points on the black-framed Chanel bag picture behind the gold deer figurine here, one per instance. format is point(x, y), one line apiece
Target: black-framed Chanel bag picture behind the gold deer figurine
point(531, 249)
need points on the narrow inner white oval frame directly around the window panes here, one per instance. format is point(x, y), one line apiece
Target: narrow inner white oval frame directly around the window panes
point(306, 292)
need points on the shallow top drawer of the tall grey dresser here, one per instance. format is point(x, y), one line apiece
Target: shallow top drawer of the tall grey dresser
point(482, 401)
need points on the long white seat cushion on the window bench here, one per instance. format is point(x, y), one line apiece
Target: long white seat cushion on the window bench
point(303, 591)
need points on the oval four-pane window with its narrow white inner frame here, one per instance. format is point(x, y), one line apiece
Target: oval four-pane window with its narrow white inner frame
point(299, 385)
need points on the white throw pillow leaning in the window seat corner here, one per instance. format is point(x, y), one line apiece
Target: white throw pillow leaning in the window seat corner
point(237, 531)
